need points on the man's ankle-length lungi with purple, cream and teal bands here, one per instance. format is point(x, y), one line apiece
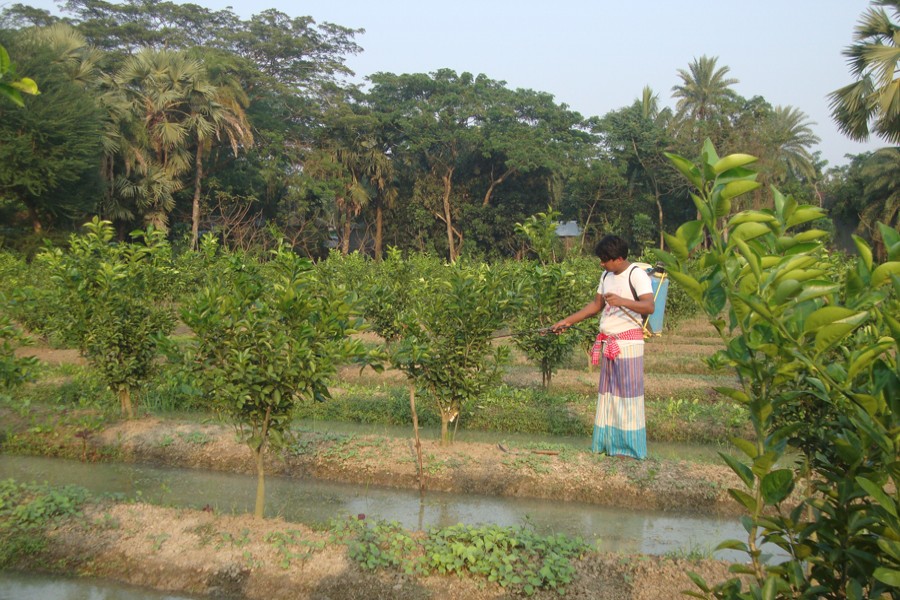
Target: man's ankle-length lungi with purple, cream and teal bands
point(619, 426)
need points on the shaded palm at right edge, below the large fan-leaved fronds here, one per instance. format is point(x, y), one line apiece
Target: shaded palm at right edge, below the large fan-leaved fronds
point(881, 173)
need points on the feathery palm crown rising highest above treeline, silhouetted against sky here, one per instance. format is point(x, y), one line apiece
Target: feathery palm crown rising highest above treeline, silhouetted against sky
point(704, 87)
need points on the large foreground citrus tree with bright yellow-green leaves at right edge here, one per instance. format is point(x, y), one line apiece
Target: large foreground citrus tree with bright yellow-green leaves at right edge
point(815, 353)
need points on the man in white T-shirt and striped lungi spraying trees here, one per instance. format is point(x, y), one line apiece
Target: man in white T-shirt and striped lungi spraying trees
point(623, 297)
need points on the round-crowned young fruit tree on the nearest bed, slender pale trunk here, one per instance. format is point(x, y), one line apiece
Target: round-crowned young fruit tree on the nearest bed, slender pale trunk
point(268, 338)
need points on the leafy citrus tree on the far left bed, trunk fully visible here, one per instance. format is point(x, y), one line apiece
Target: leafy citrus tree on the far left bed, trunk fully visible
point(110, 299)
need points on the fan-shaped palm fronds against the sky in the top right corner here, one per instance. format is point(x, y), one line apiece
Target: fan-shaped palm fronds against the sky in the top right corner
point(871, 104)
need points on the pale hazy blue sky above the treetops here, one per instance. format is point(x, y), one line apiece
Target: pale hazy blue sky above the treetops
point(597, 55)
